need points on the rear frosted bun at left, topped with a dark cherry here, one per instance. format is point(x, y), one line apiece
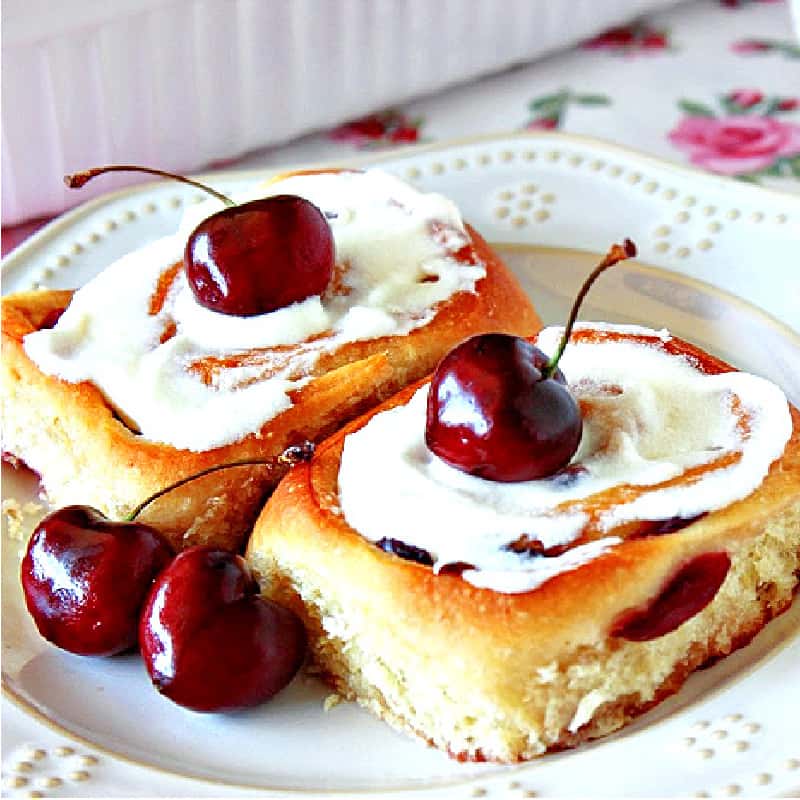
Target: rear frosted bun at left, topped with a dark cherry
point(165, 365)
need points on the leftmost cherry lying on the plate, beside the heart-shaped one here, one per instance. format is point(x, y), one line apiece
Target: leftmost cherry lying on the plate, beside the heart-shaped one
point(86, 578)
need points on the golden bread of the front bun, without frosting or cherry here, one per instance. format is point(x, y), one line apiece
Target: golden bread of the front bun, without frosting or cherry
point(499, 677)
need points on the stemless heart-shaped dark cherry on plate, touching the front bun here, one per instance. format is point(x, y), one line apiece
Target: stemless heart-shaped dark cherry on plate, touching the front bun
point(210, 642)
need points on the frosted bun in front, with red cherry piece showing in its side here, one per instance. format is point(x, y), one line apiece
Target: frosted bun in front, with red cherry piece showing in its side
point(500, 619)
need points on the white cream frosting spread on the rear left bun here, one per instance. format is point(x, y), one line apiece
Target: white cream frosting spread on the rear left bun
point(395, 247)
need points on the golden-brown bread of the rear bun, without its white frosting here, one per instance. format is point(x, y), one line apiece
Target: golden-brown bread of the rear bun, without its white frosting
point(85, 453)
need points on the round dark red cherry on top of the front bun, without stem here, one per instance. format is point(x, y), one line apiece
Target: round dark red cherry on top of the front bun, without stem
point(491, 414)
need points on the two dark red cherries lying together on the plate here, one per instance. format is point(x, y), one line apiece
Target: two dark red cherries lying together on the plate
point(209, 641)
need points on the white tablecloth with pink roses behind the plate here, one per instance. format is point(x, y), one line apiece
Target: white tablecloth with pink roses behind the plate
point(713, 84)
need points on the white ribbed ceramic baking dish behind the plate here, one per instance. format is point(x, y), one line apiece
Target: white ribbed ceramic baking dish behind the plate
point(181, 83)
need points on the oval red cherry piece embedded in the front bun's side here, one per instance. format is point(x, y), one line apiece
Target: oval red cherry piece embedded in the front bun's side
point(687, 593)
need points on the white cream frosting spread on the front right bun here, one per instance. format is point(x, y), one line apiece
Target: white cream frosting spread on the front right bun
point(649, 417)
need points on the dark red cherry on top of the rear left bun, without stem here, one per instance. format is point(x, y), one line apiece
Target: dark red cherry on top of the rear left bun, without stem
point(260, 256)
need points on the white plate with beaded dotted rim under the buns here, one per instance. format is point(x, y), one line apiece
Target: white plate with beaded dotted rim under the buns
point(727, 732)
